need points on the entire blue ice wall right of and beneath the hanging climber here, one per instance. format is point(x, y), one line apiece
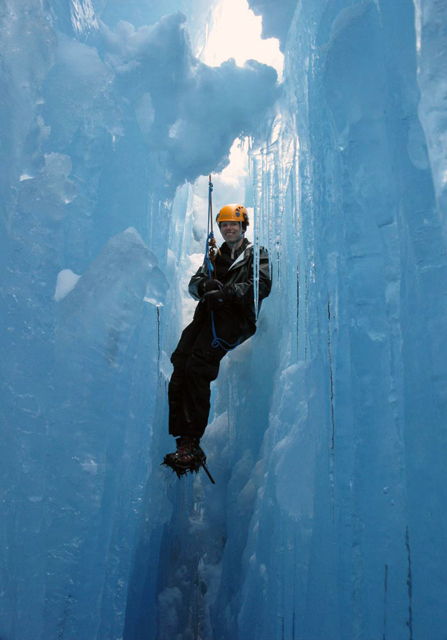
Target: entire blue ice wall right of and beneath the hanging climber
point(328, 440)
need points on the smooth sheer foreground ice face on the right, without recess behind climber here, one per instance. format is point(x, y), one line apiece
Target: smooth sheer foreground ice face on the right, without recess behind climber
point(370, 377)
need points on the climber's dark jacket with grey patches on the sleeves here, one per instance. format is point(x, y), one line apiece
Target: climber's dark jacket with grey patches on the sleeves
point(238, 281)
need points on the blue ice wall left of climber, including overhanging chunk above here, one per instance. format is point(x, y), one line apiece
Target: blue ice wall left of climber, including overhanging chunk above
point(101, 120)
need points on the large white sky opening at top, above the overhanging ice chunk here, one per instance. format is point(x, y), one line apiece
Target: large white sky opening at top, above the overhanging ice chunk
point(236, 33)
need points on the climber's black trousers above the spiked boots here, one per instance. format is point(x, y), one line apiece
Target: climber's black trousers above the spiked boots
point(196, 365)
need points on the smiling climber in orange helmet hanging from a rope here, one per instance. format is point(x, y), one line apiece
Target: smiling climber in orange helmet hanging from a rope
point(224, 318)
